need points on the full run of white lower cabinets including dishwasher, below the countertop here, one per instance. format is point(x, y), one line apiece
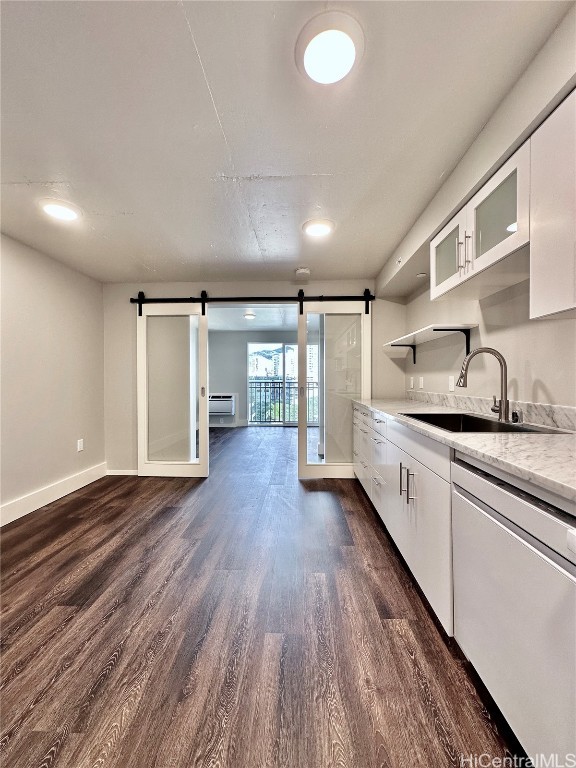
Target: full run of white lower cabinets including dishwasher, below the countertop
point(498, 573)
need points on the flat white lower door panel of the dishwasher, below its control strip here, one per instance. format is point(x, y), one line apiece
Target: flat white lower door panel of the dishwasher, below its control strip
point(515, 619)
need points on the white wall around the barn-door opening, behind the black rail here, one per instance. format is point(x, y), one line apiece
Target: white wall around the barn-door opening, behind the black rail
point(120, 348)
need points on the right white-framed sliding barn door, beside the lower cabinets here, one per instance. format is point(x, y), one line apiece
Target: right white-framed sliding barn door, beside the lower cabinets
point(334, 369)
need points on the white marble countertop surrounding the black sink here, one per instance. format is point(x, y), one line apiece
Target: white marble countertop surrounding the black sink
point(546, 460)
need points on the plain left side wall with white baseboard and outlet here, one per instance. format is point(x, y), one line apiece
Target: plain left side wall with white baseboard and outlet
point(52, 379)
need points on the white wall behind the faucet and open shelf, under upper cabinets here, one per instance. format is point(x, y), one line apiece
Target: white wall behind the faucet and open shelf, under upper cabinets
point(541, 354)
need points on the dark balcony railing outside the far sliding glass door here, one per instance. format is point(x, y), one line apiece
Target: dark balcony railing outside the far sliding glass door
point(276, 402)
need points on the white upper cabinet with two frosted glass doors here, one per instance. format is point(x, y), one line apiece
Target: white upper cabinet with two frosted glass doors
point(494, 224)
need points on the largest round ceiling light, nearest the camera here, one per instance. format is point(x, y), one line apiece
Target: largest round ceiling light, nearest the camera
point(328, 47)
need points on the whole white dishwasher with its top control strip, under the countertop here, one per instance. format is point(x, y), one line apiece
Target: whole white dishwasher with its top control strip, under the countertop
point(514, 560)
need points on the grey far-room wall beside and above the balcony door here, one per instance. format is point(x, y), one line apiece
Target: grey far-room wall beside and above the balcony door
point(228, 363)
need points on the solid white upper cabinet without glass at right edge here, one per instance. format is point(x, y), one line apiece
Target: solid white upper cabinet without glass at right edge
point(553, 213)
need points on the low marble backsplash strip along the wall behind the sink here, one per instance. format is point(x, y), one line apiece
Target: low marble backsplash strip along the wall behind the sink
point(561, 416)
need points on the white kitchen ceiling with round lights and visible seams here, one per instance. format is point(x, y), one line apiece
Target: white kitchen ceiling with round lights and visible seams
point(197, 150)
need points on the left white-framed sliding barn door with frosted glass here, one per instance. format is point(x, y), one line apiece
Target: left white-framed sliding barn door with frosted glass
point(172, 380)
